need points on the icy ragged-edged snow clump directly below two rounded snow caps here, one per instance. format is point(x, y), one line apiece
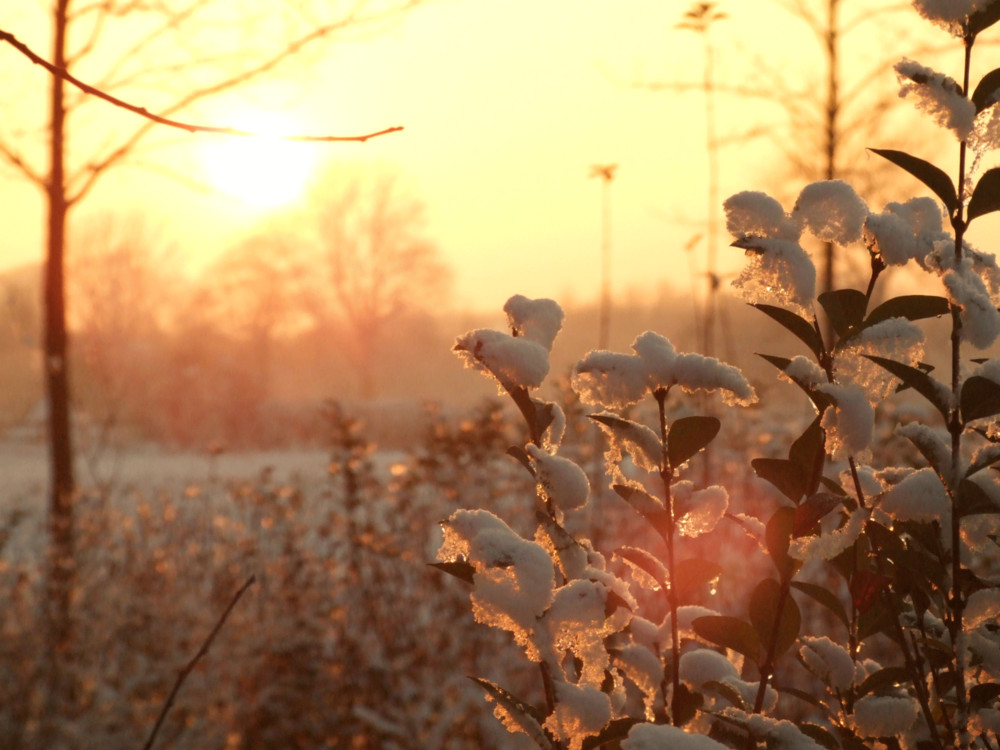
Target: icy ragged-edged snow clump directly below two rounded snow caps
point(779, 272)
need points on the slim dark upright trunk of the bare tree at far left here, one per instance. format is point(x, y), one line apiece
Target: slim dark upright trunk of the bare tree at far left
point(59, 581)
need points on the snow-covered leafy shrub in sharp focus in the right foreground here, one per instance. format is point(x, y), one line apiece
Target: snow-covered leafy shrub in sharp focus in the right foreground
point(876, 625)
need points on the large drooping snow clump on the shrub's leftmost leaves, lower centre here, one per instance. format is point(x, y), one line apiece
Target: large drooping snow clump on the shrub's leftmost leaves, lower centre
point(513, 579)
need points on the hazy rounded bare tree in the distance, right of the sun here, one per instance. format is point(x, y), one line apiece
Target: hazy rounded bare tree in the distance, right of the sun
point(377, 261)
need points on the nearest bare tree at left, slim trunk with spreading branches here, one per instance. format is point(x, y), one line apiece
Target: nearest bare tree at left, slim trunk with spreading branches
point(179, 53)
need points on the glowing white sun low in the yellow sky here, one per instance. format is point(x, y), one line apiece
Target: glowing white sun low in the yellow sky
point(265, 172)
